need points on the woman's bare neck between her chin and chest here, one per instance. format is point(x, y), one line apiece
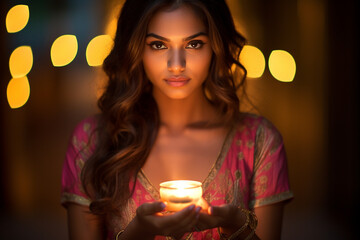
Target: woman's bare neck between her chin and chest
point(177, 115)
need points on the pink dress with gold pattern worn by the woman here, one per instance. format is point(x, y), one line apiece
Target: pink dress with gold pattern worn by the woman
point(251, 171)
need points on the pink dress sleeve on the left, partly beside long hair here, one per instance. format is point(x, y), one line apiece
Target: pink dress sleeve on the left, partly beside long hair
point(78, 151)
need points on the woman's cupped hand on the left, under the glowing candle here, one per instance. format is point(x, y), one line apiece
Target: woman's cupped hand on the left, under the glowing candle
point(149, 221)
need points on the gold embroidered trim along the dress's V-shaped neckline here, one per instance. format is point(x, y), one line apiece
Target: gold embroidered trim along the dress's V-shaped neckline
point(152, 190)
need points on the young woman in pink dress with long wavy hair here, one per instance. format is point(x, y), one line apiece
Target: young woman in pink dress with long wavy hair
point(170, 111)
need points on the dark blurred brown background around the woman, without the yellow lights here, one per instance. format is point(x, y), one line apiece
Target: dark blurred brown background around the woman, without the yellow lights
point(317, 112)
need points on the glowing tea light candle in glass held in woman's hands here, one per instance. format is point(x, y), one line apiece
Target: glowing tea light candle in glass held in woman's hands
point(179, 194)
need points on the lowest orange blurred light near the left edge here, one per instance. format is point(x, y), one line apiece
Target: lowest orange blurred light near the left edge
point(18, 92)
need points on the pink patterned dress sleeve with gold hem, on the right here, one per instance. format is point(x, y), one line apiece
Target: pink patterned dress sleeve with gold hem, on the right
point(270, 182)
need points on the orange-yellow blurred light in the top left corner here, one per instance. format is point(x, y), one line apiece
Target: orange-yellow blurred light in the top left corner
point(17, 18)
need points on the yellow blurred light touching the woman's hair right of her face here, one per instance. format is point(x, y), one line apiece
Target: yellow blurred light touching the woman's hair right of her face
point(253, 60)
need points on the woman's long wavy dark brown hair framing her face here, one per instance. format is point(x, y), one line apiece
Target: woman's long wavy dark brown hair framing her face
point(129, 120)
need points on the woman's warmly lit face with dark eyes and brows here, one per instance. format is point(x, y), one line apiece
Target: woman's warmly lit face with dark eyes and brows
point(177, 54)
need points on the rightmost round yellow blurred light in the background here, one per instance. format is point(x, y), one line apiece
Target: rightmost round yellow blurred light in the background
point(282, 65)
